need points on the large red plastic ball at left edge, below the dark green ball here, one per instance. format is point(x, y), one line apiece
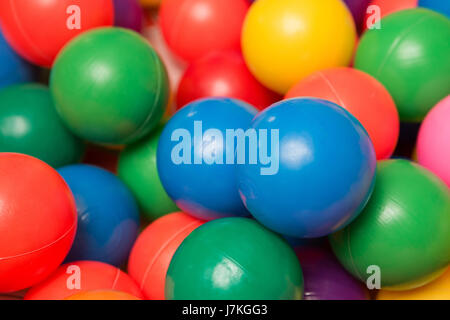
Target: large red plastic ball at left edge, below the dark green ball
point(37, 221)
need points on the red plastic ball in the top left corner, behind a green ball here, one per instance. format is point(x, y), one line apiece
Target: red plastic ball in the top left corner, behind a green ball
point(38, 42)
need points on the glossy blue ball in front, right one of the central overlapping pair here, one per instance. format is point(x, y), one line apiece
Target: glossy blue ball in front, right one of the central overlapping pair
point(325, 170)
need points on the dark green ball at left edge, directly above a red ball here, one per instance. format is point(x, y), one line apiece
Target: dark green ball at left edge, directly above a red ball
point(29, 124)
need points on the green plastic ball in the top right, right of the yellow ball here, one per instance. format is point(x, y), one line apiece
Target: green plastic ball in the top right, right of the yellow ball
point(410, 55)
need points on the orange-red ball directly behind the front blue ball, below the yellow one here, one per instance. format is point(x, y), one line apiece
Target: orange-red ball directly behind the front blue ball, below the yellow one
point(360, 94)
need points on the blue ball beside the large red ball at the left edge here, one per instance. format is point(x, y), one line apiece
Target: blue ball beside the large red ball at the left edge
point(108, 215)
